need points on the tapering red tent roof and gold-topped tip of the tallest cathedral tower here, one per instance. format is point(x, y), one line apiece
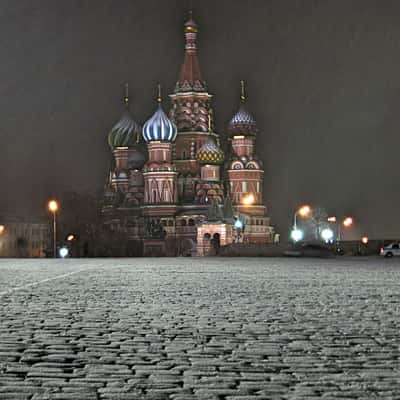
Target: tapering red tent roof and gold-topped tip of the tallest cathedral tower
point(190, 78)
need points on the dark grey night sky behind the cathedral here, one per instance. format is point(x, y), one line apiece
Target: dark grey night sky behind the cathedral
point(323, 81)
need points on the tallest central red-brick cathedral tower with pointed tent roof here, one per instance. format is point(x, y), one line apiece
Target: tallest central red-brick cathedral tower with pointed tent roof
point(191, 108)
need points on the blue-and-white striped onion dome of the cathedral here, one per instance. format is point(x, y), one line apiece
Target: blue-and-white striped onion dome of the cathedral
point(159, 128)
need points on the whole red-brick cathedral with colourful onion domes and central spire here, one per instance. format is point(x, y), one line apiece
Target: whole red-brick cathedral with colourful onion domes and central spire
point(171, 189)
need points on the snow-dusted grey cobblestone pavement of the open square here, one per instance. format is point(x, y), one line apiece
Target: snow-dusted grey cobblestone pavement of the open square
point(183, 329)
